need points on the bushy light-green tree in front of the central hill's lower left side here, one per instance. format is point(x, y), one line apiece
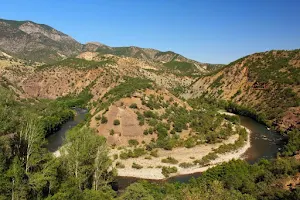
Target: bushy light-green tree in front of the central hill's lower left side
point(85, 158)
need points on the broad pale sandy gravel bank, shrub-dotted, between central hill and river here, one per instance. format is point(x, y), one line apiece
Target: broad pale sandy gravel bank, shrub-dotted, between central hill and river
point(152, 168)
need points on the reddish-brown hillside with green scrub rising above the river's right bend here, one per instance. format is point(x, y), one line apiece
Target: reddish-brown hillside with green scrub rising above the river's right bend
point(267, 82)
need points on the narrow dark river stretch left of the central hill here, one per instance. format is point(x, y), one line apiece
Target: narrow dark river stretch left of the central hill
point(56, 140)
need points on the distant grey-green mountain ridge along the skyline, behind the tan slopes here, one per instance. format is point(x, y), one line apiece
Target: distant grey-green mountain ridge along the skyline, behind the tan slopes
point(42, 43)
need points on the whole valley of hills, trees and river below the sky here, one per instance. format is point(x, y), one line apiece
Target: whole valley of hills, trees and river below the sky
point(109, 112)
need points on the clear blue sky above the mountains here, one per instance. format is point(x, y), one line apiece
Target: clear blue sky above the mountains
point(215, 31)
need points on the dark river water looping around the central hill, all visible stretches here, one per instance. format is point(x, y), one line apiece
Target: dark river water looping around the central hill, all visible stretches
point(264, 144)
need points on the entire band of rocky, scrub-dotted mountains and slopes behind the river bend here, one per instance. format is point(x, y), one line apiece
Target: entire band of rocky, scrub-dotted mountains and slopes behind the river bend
point(267, 82)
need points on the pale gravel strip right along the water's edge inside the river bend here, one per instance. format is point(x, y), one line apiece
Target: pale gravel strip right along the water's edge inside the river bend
point(155, 173)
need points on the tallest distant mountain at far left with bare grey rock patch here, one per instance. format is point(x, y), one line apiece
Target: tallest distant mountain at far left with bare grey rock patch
point(37, 42)
